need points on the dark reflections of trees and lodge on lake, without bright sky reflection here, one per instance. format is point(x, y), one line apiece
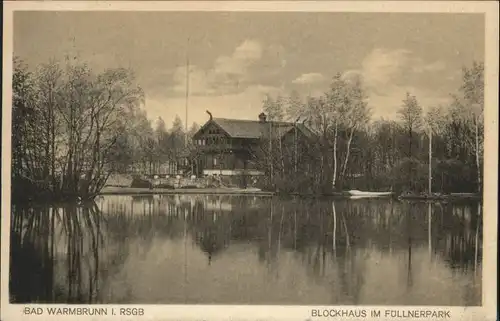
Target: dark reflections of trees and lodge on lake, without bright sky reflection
point(68, 253)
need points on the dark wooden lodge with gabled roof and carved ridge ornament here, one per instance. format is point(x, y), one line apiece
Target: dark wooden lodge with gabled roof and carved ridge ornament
point(233, 147)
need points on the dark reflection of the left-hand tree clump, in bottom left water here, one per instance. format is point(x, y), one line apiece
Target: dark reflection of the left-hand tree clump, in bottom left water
point(55, 254)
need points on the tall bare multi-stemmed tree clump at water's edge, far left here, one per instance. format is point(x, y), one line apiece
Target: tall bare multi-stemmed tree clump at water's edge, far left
point(77, 118)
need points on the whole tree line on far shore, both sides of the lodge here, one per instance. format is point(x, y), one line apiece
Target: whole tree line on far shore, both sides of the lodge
point(72, 127)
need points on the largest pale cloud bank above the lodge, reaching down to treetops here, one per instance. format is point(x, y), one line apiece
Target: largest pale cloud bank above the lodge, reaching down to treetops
point(233, 86)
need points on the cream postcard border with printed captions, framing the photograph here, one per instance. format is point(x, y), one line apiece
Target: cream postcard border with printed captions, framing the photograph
point(233, 312)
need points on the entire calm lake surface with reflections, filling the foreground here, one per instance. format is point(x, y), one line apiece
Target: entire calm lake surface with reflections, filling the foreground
point(207, 249)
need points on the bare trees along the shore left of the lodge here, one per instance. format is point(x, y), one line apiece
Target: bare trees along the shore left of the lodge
point(72, 127)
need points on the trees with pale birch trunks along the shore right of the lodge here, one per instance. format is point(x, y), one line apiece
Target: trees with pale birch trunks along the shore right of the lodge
point(352, 150)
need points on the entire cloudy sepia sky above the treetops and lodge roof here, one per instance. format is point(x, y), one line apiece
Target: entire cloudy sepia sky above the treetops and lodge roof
point(236, 58)
